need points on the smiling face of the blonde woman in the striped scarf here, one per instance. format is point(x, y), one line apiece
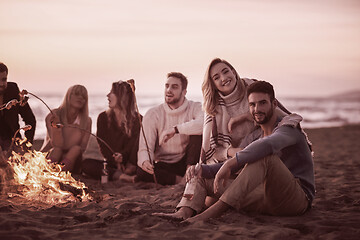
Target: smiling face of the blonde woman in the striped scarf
point(223, 78)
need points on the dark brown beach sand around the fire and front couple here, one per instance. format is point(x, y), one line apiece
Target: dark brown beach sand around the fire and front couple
point(123, 210)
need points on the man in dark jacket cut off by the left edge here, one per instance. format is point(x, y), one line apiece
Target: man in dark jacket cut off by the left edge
point(9, 118)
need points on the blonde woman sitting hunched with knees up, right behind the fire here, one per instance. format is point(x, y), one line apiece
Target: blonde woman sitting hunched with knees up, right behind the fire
point(67, 143)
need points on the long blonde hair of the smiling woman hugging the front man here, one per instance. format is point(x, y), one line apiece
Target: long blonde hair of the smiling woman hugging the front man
point(209, 90)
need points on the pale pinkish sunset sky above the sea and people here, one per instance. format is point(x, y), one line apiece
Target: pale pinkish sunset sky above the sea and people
point(304, 48)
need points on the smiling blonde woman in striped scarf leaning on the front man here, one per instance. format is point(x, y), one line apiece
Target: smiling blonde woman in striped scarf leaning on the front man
point(224, 99)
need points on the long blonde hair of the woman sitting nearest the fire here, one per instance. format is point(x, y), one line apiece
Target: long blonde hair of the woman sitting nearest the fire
point(65, 105)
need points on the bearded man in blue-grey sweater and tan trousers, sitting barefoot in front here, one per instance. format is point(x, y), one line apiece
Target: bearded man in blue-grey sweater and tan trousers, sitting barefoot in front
point(278, 173)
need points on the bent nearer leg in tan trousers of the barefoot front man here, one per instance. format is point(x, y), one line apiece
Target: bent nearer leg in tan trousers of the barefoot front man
point(266, 186)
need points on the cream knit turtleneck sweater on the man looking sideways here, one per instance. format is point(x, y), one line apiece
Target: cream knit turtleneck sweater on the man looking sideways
point(188, 118)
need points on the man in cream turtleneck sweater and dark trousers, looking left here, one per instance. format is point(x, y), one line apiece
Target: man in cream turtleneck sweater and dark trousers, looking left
point(172, 135)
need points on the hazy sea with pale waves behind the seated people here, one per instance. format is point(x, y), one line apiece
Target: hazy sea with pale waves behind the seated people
point(317, 112)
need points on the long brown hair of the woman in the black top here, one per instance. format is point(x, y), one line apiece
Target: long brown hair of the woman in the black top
point(126, 103)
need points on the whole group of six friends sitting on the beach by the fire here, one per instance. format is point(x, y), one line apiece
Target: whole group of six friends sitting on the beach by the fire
point(240, 149)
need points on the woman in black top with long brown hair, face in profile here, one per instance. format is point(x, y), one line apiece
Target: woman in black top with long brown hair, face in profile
point(119, 127)
